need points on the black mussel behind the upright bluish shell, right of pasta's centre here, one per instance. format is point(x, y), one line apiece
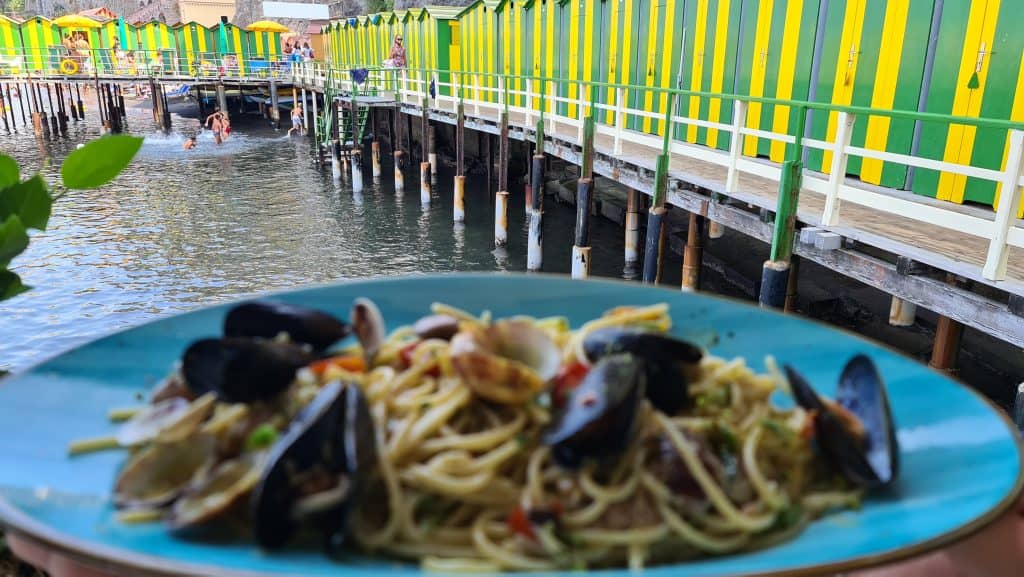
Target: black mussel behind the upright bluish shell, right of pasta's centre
point(670, 362)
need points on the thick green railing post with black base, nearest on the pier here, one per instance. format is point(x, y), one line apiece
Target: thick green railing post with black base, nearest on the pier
point(776, 274)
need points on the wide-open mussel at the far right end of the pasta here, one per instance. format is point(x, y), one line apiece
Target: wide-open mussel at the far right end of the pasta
point(866, 454)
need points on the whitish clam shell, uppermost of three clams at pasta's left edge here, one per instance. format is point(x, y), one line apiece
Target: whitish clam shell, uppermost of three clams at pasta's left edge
point(168, 421)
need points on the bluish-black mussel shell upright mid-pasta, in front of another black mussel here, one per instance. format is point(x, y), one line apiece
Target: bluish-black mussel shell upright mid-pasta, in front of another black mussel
point(599, 419)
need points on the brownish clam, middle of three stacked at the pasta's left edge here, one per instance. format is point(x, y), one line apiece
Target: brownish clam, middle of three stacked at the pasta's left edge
point(159, 474)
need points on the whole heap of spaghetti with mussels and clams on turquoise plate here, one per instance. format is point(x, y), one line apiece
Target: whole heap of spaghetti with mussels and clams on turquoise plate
point(468, 443)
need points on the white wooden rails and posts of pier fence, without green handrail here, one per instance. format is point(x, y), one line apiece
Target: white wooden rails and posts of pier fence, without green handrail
point(1003, 232)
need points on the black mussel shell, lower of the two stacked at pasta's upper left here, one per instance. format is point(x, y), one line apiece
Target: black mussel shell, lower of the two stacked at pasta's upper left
point(242, 370)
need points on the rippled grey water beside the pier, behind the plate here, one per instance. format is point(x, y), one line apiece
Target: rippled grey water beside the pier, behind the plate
point(184, 229)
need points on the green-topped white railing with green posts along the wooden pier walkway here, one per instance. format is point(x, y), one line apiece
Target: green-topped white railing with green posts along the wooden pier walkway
point(543, 97)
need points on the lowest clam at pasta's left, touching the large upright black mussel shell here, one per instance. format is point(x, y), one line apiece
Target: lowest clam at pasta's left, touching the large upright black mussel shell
point(212, 497)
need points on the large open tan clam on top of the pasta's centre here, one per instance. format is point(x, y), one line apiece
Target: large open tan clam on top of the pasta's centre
point(508, 362)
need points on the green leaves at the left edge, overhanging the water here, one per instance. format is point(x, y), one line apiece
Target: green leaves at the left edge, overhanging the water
point(27, 204)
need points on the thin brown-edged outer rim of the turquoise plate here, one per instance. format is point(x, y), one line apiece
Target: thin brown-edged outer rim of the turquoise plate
point(112, 558)
